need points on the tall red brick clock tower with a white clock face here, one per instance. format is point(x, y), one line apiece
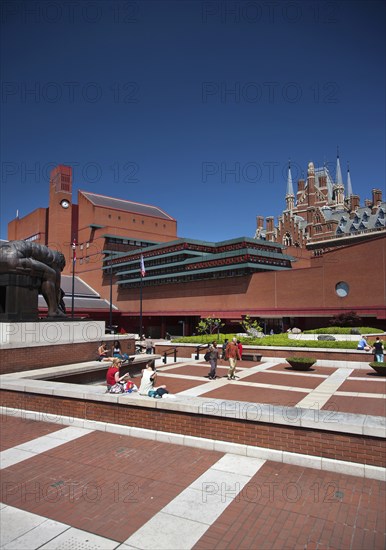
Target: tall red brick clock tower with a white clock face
point(60, 225)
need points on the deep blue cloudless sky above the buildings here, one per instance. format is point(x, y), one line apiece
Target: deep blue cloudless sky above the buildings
point(193, 106)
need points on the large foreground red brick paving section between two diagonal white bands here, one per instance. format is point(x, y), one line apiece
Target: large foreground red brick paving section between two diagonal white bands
point(104, 483)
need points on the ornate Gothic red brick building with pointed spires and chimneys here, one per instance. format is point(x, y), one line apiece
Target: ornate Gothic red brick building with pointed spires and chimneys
point(323, 211)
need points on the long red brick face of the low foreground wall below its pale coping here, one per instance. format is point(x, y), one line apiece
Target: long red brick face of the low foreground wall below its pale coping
point(348, 447)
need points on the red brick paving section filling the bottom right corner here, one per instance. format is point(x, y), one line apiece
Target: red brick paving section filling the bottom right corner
point(286, 506)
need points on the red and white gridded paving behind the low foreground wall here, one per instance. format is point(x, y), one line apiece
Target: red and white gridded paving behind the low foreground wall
point(360, 391)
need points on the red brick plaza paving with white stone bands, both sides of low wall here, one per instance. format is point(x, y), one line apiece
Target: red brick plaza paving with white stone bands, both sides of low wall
point(76, 487)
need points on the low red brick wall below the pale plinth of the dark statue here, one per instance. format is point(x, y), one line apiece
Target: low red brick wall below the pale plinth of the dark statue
point(14, 359)
